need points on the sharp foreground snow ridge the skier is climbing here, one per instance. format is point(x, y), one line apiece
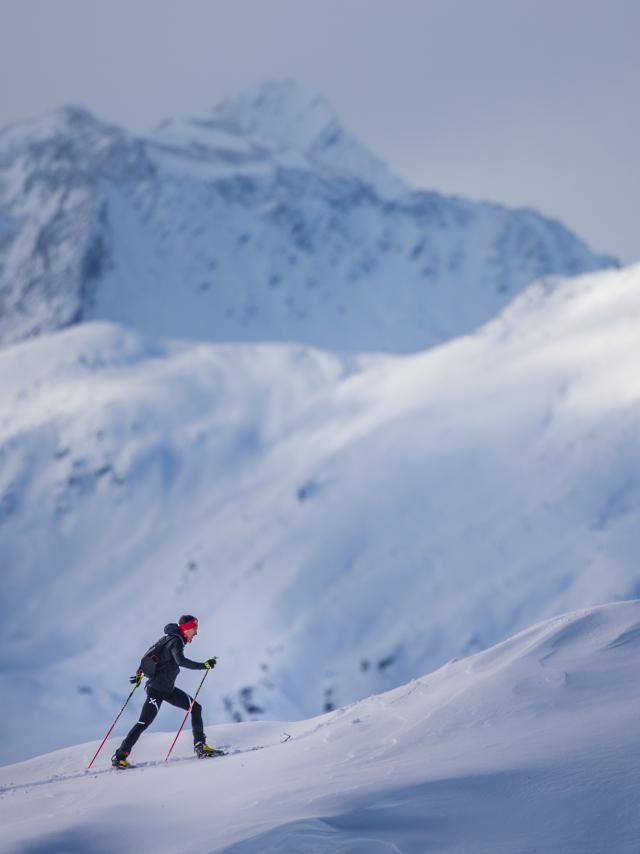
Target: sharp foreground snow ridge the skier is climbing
point(531, 746)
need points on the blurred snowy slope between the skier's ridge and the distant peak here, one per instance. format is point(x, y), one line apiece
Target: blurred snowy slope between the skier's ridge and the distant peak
point(338, 524)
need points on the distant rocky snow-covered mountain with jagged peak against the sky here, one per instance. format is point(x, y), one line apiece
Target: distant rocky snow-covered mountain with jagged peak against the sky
point(264, 220)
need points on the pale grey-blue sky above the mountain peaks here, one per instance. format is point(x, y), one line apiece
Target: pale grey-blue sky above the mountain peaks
point(527, 102)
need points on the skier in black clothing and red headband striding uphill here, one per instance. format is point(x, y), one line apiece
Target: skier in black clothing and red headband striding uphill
point(169, 658)
